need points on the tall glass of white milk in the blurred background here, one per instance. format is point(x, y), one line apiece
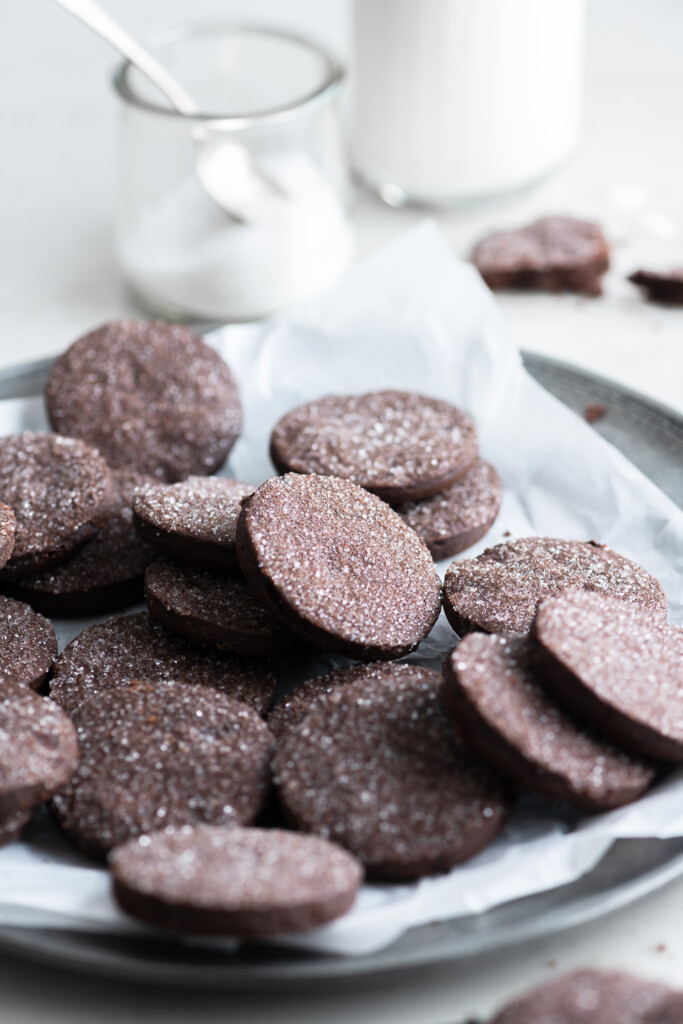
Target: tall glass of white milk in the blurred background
point(462, 100)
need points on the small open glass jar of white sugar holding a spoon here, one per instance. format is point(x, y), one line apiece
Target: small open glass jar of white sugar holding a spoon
point(271, 115)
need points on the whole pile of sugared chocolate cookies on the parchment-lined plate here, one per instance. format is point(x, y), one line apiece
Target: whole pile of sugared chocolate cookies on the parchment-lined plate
point(383, 769)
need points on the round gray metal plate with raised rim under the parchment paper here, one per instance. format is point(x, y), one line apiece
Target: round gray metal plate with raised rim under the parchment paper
point(653, 438)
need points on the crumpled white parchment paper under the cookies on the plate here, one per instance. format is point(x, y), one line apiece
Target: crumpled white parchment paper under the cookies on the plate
point(415, 318)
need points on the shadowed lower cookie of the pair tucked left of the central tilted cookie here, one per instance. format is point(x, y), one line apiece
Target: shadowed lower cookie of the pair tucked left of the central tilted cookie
point(212, 610)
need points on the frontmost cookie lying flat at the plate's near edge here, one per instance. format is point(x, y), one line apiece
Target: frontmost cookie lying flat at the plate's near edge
point(249, 883)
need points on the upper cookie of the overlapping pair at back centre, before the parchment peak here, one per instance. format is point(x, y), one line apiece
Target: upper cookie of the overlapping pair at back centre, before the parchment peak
point(399, 445)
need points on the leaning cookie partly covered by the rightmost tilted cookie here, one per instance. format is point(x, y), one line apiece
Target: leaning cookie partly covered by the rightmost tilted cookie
point(494, 696)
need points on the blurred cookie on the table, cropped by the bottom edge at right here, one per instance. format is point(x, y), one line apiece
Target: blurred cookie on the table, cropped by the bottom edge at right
point(591, 998)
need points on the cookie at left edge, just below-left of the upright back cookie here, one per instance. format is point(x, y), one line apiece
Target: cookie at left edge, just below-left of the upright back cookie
point(57, 488)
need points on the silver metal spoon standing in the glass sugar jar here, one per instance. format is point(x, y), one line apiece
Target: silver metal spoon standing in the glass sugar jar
point(225, 168)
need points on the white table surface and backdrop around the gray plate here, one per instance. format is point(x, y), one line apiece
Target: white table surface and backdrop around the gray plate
point(59, 278)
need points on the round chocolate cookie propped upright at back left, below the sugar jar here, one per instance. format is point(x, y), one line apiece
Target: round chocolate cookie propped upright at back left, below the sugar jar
point(151, 397)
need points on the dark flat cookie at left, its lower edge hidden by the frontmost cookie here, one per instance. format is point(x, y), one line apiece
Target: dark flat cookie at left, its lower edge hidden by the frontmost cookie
point(162, 754)
